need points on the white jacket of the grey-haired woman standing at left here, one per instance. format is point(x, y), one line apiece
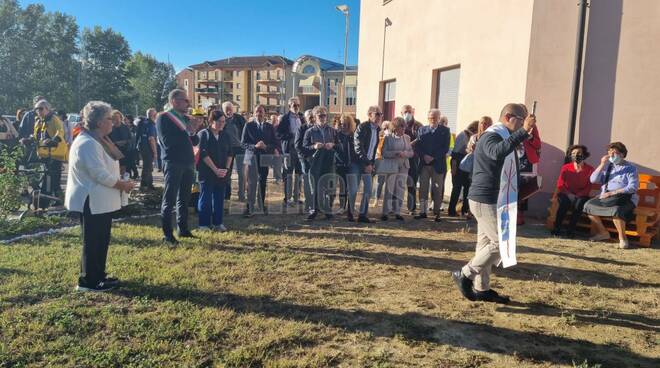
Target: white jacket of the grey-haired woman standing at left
point(92, 173)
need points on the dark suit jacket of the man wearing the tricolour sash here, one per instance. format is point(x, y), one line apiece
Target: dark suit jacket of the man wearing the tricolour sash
point(176, 145)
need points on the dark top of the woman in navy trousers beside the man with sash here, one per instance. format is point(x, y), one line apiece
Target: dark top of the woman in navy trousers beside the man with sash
point(218, 150)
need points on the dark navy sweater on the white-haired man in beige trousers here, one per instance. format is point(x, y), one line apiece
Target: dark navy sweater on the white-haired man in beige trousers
point(434, 144)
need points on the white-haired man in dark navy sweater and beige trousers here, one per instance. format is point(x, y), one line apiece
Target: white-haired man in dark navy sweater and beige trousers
point(432, 147)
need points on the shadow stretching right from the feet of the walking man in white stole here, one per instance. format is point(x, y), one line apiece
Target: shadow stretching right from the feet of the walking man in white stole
point(633, 321)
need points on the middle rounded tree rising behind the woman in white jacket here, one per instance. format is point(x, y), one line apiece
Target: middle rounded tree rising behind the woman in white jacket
point(105, 55)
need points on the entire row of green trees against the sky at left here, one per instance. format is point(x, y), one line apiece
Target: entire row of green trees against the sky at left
point(44, 53)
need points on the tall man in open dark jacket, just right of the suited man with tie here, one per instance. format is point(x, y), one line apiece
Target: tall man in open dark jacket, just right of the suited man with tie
point(286, 132)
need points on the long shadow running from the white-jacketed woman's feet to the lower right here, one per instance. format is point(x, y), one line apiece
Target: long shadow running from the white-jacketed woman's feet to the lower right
point(410, 326)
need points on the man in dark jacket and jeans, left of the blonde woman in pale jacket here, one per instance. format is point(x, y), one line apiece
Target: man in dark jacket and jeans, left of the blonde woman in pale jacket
point(366, 142)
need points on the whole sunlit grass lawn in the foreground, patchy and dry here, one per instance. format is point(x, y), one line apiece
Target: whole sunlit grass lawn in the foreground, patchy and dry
point(279, 292)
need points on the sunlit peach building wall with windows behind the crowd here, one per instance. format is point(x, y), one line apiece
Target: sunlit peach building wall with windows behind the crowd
point(426, 35)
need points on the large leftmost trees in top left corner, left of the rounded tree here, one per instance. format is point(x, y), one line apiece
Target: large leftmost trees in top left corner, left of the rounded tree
point(37, 56)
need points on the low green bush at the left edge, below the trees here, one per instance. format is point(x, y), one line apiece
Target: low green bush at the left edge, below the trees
point(10, 183)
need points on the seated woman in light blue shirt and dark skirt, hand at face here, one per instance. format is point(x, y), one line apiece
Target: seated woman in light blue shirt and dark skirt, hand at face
point(618, 197)
